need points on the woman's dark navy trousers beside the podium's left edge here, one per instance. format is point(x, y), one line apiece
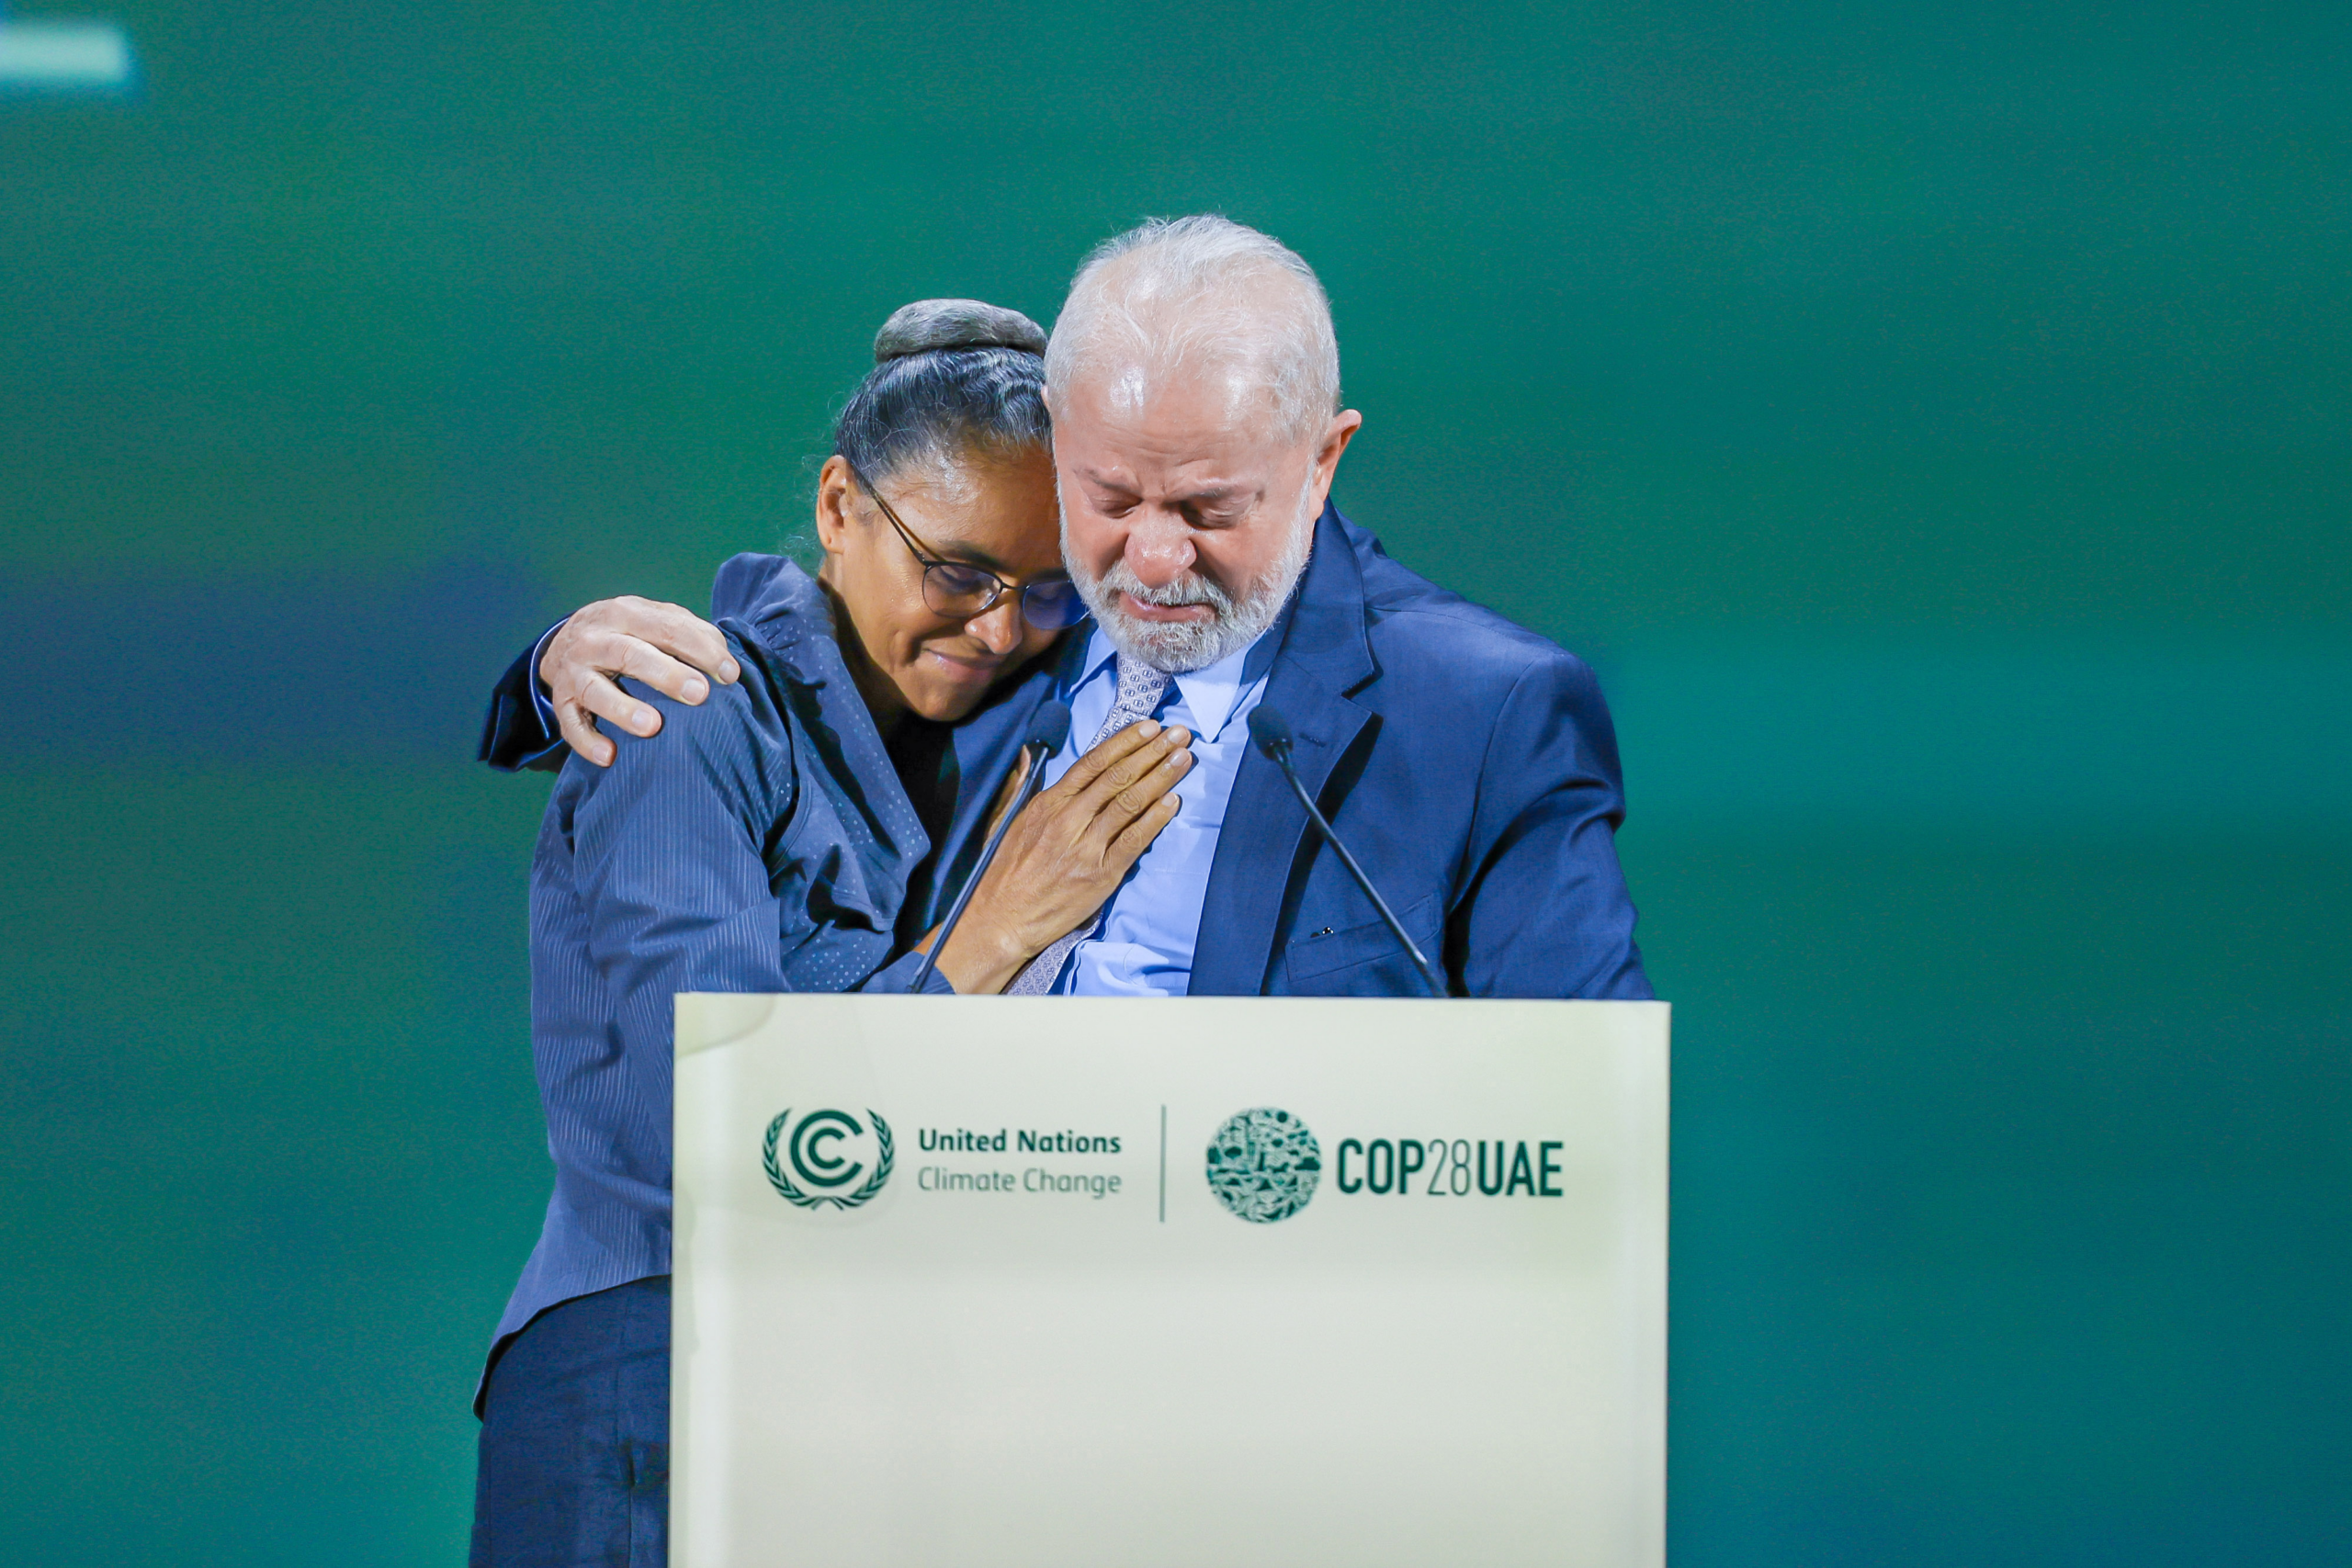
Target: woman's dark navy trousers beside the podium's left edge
point(575, 1463)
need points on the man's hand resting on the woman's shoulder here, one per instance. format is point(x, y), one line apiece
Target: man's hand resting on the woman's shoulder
point(671, 650)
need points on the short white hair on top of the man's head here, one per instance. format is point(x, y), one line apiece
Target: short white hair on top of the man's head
point(1210, 293)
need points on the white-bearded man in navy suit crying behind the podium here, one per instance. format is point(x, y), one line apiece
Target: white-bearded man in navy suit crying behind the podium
point(1471, 765)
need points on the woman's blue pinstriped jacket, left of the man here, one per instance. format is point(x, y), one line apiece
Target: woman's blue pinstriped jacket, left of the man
point(761, 843)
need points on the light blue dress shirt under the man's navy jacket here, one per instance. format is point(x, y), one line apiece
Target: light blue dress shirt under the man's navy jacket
point(1151, 927)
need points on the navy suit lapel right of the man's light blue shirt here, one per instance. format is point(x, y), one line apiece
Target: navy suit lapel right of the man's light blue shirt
point(1325, 655)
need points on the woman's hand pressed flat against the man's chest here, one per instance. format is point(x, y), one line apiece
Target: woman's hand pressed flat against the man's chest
point(1067, 855)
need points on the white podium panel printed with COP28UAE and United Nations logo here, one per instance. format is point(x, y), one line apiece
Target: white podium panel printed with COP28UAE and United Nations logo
point(1036, 1282)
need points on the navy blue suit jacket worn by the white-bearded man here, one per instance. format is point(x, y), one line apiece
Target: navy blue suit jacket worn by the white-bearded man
point(1469, 763)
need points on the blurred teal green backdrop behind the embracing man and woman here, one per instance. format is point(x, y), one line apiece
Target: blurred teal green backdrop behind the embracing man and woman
point(1930, 420)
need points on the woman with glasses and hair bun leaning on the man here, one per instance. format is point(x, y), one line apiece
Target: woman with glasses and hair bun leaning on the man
point(763, 843)
